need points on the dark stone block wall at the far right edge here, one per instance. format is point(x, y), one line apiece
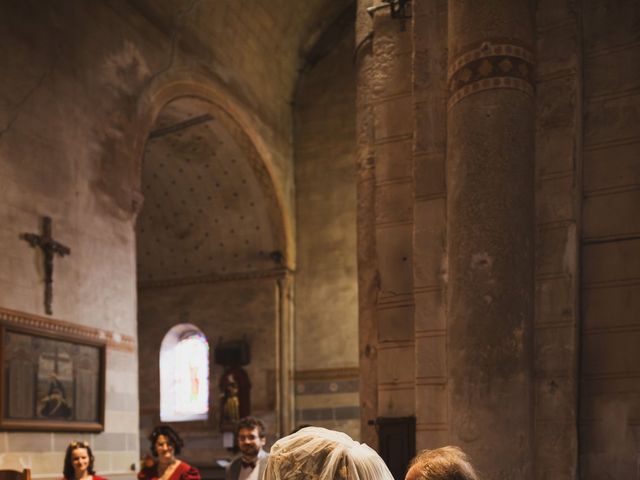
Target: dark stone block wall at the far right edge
point(609, 404)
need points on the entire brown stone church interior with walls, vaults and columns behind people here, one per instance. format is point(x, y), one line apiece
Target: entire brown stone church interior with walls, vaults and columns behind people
point(322, 184)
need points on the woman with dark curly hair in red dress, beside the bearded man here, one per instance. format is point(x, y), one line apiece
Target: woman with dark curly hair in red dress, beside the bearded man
point(165, 445)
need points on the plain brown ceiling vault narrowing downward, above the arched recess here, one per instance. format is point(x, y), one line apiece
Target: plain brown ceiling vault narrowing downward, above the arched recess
point(257, 47)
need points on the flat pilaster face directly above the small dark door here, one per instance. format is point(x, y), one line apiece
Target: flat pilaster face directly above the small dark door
point(393, 132)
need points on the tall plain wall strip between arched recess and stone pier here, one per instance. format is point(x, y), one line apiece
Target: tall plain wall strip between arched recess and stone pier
point(326, 303)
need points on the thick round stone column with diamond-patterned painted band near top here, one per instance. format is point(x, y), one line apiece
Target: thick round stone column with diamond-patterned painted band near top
point(490, 236)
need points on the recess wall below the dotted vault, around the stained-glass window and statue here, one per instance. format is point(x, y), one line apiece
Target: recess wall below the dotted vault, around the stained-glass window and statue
point(222, 311)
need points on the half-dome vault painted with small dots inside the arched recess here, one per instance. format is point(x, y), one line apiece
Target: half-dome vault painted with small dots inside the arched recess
point(208, 207)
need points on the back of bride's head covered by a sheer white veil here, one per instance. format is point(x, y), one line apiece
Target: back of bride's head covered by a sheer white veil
point(319, 454)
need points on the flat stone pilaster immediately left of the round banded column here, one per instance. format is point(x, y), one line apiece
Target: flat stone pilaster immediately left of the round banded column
point(429, 61)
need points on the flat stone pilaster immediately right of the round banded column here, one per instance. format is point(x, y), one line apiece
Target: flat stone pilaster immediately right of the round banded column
point(558, 147)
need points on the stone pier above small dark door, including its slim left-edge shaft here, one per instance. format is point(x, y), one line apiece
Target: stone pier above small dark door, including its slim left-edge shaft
point(385, 216)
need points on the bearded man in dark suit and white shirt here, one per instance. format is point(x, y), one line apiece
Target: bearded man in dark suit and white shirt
point(250, 434)
